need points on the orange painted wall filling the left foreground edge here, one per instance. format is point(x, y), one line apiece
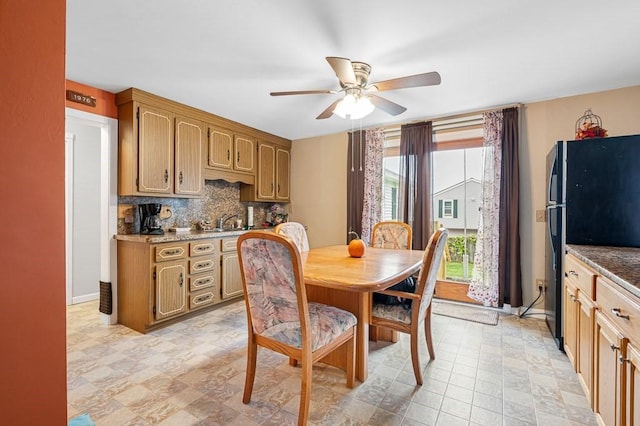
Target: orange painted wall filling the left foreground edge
point(32, 286)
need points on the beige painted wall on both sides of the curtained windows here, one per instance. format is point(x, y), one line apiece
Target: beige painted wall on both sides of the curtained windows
point(319, 170)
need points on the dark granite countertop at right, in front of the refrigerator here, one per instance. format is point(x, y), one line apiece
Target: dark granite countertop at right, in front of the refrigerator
point(620, 264)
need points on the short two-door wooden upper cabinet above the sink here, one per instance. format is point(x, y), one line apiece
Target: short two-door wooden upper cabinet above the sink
point(229, 151)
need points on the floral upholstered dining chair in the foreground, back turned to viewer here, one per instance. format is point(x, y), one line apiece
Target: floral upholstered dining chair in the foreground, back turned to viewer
point(281, 319)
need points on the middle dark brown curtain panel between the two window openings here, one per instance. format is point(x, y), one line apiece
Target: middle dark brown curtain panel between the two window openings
point(415, 180)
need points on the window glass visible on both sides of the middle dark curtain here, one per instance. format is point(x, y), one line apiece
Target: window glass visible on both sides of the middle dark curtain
point(456, 179)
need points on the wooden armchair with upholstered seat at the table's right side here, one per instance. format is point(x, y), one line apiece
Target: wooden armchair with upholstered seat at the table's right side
point(399, 318)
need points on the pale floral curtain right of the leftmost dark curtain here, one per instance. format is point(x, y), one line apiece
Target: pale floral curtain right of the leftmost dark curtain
point(372, 201)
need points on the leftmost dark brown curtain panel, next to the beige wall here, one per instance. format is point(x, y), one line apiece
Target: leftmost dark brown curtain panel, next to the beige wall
point(355, 182)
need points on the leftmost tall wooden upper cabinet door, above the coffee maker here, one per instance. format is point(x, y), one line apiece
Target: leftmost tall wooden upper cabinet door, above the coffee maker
point(155, 150)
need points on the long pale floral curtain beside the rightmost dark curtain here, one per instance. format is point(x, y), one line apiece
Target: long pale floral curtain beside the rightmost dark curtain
point(484, 286)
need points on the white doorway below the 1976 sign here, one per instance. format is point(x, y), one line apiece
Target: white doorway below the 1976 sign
point(91, 205)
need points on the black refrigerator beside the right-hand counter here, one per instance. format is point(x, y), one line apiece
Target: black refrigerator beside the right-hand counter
point(593, 198)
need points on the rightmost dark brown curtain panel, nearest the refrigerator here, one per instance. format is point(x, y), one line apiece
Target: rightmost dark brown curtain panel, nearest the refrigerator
point(510, 271)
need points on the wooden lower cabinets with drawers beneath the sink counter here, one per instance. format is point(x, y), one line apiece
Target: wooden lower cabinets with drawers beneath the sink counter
point(160, 282)
